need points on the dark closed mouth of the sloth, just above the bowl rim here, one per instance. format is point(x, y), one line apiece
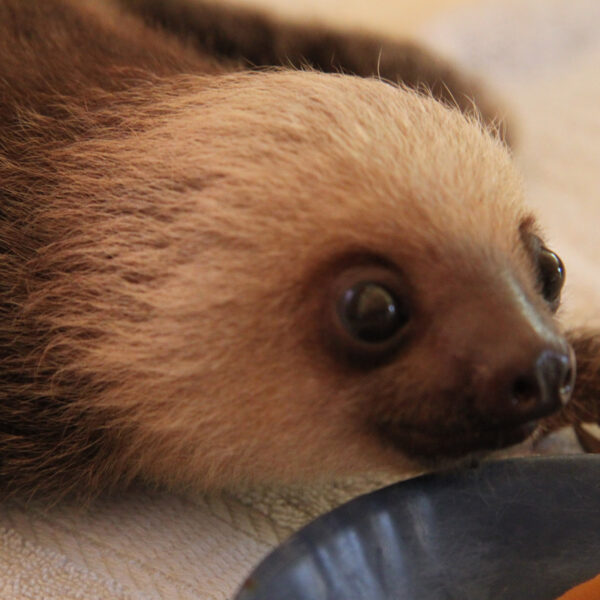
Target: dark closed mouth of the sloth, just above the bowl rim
point(429, 444)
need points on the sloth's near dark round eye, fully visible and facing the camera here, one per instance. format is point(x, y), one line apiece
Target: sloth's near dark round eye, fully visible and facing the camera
point(371, 312)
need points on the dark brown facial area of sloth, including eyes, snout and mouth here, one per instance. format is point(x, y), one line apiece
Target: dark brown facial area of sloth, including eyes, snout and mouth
point(493, 372)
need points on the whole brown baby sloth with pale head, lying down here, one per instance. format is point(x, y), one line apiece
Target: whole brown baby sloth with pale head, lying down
point(214, 276)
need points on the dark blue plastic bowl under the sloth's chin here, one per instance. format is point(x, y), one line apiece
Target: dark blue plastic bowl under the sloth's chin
point(522, 529)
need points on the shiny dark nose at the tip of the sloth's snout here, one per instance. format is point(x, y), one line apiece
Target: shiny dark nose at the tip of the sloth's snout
point(535, 391)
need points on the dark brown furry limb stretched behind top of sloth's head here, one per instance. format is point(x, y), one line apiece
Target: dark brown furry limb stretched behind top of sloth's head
point(252, 39)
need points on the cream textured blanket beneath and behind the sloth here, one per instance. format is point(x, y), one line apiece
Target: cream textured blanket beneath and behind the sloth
point(543, 56)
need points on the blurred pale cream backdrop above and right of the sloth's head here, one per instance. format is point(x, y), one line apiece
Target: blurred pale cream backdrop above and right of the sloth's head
point(542, 57)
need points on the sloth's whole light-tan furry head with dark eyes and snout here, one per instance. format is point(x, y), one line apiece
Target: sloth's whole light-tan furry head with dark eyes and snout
point(282, 276)
